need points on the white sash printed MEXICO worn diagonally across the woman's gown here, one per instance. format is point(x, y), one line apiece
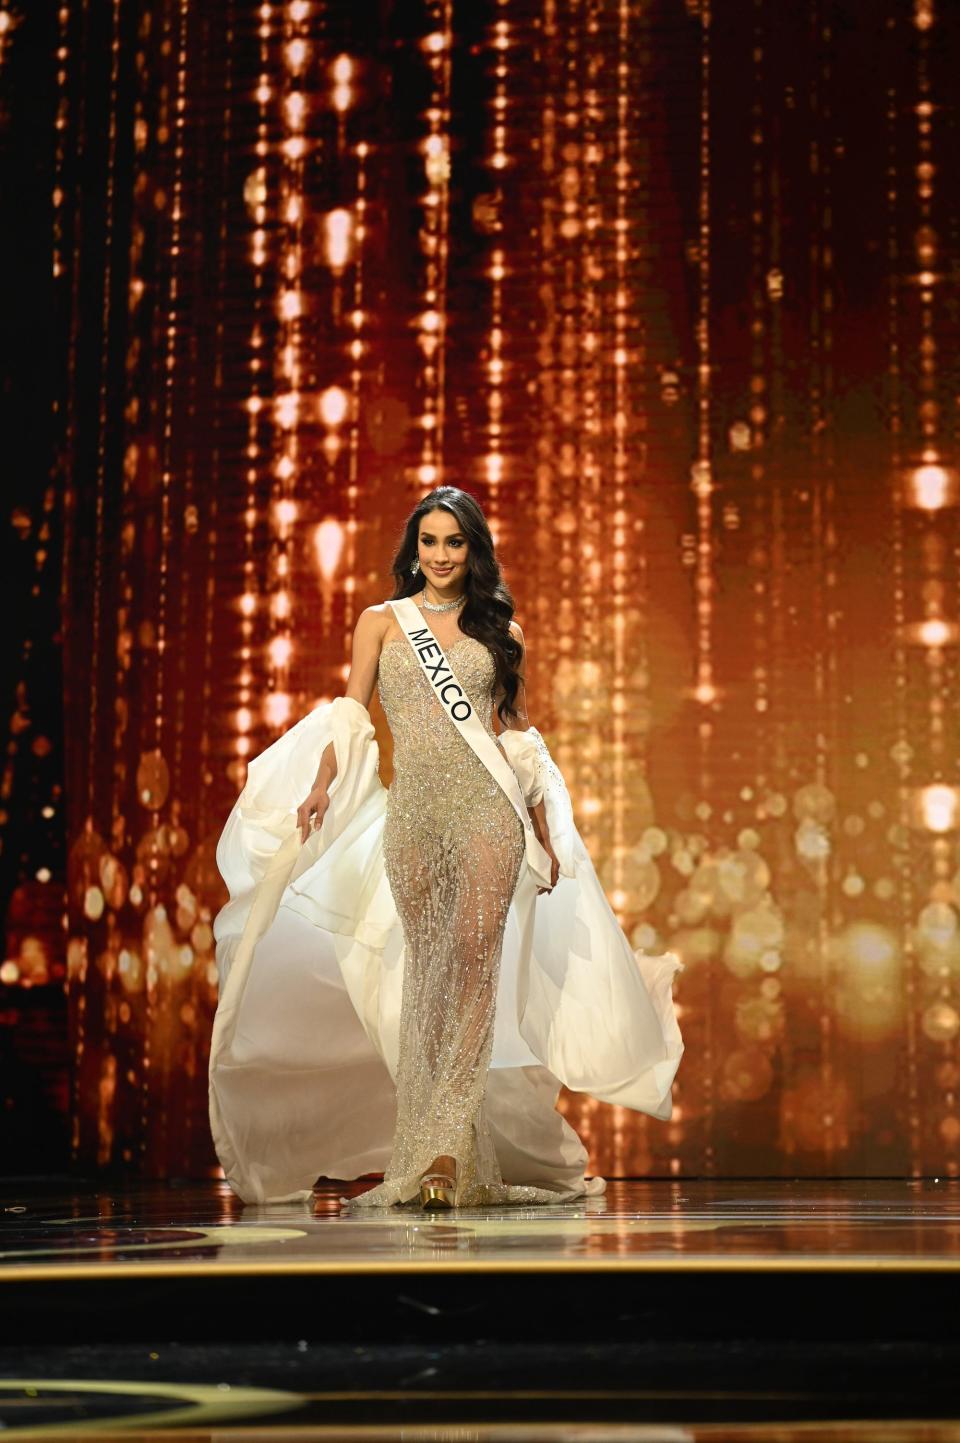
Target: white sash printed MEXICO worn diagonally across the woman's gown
point(460, 709)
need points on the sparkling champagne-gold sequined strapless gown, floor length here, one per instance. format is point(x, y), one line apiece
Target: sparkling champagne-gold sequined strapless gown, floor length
point(453, 851)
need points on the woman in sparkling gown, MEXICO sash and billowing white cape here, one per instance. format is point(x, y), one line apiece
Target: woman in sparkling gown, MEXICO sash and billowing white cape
point(414, 897)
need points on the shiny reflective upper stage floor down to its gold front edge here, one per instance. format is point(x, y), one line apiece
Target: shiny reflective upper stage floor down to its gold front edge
point(647, 1226)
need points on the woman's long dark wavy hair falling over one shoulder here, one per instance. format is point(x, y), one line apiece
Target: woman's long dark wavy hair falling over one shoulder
point(489, 608)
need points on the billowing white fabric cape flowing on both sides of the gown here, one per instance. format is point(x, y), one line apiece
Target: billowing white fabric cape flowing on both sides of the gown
point(310, 955)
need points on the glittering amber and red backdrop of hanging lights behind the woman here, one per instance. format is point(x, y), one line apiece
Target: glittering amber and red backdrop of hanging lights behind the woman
point(672, 288)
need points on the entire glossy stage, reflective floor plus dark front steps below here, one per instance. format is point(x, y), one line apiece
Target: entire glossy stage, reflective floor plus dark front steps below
point(688, 1308)
